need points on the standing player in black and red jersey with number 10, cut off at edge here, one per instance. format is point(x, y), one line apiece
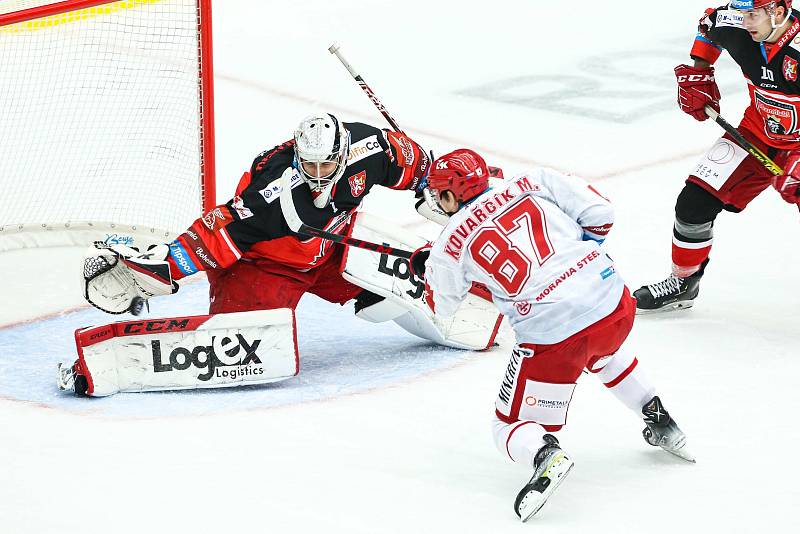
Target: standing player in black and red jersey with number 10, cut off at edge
point(763, 37)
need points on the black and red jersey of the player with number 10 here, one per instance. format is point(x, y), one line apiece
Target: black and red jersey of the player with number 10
point(771, 71)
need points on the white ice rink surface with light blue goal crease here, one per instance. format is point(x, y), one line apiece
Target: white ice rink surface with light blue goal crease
point(382, 432)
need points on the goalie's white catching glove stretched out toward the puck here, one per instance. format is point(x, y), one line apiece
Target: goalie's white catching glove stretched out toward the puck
point(118, 278)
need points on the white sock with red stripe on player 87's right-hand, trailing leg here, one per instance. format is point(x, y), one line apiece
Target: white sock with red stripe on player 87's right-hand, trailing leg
point(623, 376)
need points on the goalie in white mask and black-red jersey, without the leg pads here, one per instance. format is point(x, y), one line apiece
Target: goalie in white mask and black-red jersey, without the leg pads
point(253, 260)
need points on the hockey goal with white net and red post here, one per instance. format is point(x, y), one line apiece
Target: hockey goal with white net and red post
point(106, 119)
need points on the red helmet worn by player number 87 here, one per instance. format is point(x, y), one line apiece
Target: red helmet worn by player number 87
point(462, 171)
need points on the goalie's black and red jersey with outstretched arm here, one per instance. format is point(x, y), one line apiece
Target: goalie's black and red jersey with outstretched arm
point(251, 224)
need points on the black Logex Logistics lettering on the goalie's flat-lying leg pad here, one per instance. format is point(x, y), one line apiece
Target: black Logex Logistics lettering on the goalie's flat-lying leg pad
point(224, 359)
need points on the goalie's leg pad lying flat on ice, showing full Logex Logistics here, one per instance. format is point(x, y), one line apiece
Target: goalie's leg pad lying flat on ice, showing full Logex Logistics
point(204, 351)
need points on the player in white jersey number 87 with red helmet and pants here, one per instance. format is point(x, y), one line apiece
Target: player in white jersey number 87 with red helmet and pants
point(534, 243)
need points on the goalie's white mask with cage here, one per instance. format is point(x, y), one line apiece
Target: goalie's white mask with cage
point(322, 146)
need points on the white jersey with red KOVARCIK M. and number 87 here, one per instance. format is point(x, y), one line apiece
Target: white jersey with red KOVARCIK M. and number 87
point(534, 242)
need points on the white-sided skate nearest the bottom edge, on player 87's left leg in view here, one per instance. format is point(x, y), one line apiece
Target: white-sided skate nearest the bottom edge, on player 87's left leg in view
point(551, 466)
